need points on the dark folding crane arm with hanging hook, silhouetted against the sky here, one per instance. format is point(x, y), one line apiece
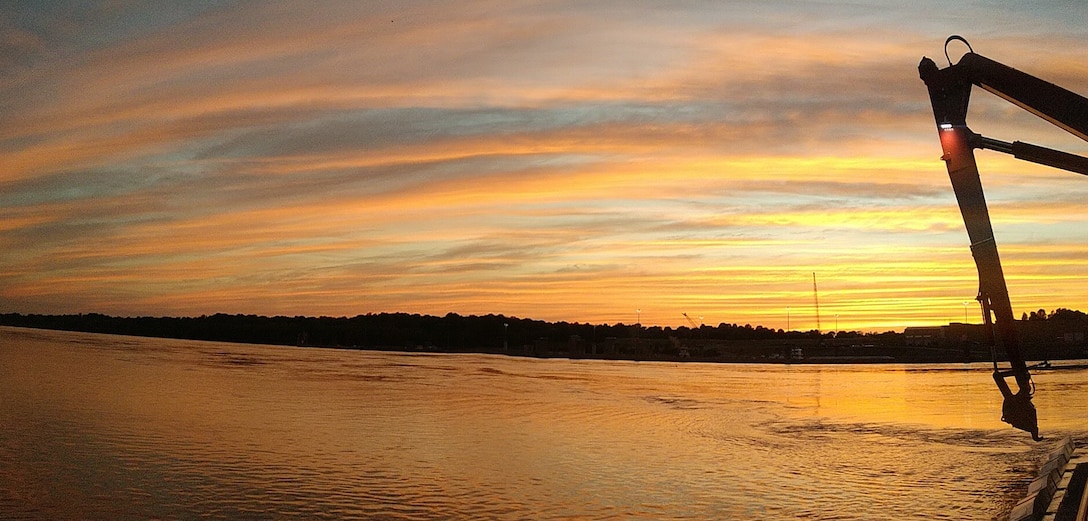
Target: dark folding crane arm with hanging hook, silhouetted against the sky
point(950, 95)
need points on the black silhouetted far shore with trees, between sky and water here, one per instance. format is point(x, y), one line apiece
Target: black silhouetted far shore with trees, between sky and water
point(524, 338)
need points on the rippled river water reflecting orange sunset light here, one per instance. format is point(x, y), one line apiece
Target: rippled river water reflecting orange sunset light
point(97, 427)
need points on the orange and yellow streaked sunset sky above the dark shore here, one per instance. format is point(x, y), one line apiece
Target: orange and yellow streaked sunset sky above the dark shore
point(565, 160)
